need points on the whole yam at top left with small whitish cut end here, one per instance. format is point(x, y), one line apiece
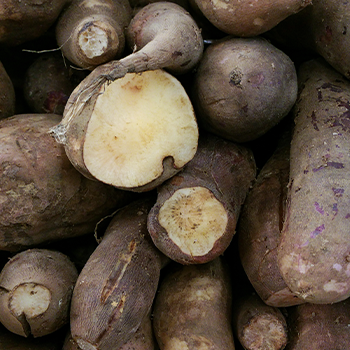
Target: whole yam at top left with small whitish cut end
point(91, 32)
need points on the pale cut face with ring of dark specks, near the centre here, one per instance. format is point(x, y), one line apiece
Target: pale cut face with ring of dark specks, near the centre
point(194, 220)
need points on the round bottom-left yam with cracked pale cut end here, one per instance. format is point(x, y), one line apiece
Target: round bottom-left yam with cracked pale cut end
point(36, 286)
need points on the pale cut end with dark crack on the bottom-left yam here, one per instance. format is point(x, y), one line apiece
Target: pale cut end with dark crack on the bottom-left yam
point(30, 299)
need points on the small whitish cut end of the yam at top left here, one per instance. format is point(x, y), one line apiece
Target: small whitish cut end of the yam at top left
point(93, 41)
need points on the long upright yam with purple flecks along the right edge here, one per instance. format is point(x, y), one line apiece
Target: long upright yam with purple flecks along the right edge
point(313, 254)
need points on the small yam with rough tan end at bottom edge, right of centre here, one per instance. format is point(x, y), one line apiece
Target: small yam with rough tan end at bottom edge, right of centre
point(259, 326)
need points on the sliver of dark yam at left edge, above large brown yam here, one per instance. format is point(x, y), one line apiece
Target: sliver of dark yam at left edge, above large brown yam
point(7, 94)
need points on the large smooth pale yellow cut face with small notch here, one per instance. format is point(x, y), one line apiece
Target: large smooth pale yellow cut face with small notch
point(138, 121)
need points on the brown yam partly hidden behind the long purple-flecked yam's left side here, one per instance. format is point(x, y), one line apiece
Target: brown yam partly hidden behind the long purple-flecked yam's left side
point(260, 225)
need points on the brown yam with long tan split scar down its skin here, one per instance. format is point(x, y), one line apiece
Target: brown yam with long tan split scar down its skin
point(116, 288)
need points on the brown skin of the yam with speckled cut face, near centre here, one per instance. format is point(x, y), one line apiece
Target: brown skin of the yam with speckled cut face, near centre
point(224, 168)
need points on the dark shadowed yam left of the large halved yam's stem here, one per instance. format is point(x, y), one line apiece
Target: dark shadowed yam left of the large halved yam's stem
point(48, 82)
